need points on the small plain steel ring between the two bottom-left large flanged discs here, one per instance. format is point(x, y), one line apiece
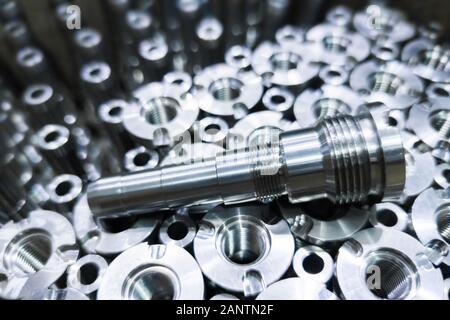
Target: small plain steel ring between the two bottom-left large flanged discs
point(87, 273)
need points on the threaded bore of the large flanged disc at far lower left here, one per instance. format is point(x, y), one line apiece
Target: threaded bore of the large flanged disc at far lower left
point(28, 252)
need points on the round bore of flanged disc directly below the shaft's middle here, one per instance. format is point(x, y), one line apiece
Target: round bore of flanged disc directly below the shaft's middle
point(243, 241)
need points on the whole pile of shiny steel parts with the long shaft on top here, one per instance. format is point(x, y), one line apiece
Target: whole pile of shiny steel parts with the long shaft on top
point(217, 154)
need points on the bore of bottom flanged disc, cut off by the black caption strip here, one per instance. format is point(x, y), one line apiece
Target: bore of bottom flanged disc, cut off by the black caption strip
point(152, 283)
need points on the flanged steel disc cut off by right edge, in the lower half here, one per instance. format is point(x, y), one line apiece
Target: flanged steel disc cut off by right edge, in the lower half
point(431, 221)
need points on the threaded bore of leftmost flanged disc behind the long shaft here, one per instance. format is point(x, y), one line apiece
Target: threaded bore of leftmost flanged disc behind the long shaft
point(161, 110)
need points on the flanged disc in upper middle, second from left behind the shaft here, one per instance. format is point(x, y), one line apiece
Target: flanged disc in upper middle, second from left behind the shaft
point(222, 90)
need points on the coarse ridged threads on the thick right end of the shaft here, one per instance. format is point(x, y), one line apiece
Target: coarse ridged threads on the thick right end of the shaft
point(349, 172)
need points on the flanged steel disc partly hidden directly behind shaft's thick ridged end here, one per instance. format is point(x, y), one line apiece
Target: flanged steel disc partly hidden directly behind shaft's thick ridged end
point(312, 105)
